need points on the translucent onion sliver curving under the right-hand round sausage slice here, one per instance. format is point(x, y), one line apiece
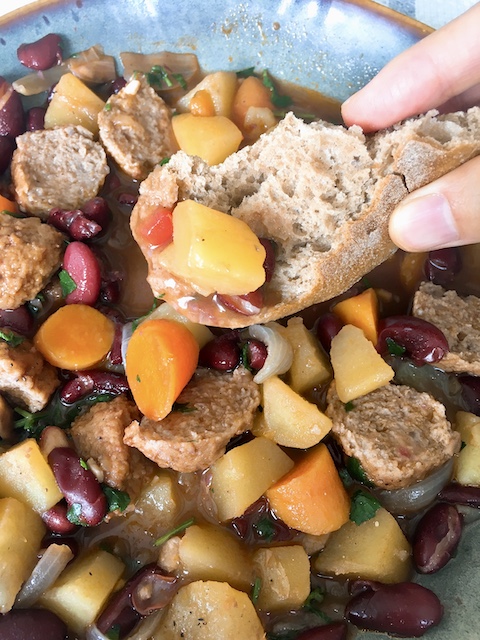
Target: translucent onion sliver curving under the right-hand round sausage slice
point(417, 496)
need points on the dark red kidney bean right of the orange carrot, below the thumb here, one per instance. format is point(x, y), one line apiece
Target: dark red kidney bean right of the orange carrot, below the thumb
point(424, 343)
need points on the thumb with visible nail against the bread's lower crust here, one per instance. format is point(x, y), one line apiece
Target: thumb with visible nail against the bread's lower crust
point(444, 213)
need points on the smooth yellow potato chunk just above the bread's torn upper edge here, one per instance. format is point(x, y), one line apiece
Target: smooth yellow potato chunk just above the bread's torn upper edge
point(212, 138)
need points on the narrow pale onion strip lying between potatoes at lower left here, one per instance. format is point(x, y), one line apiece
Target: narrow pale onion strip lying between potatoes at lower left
point(45, 573)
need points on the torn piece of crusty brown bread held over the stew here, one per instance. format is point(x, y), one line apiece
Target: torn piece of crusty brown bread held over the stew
point(321, 192)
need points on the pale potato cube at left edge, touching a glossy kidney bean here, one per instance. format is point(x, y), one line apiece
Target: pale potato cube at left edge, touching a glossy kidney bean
point(27, 476)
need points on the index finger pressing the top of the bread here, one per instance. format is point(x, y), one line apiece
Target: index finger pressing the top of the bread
point(439, 67)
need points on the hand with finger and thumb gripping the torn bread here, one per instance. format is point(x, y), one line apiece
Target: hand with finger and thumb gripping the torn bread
point(441, 71)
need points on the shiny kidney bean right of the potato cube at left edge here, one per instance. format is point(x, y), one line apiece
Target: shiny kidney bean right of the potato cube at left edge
point(78, 485)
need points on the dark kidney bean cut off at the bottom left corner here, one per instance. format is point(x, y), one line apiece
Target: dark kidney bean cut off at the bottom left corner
point(32, 624)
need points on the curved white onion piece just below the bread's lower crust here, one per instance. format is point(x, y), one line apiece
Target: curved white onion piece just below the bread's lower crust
point(279, 350)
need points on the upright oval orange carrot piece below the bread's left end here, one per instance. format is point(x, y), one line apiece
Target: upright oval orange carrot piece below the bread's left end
point(162, 356)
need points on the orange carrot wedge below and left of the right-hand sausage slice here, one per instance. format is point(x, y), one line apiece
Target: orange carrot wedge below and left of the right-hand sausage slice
point(311, 496)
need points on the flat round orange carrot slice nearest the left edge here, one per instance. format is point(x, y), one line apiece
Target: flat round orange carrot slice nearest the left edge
point(75, 337)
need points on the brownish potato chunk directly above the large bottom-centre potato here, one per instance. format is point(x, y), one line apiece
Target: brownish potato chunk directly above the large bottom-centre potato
point(210, 553)
